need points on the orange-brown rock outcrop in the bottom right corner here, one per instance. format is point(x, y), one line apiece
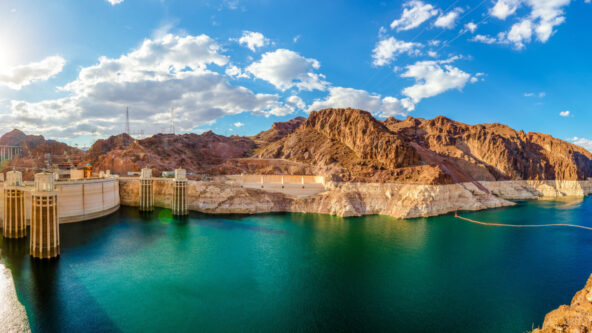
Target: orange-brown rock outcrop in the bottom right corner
point(573, 318)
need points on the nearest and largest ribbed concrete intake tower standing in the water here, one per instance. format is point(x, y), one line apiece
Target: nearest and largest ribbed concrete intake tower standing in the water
point(45, 233)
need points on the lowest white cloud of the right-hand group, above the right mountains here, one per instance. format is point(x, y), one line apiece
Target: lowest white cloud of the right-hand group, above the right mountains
point(433, 78)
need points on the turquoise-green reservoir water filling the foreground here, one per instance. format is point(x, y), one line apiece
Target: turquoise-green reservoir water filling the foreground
point(306, 272)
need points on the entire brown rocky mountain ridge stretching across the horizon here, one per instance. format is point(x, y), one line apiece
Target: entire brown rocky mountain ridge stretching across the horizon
point(351, 145)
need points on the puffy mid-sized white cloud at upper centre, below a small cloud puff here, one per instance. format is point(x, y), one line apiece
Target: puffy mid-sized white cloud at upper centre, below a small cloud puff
point(286, 69)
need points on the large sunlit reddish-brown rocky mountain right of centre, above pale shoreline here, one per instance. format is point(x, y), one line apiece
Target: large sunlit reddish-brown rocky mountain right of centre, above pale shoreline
point(351, 145)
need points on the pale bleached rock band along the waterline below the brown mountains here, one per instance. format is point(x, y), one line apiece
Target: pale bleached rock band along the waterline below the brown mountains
point(356, 199)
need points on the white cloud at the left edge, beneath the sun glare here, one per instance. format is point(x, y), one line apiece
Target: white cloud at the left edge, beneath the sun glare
point(20, 76)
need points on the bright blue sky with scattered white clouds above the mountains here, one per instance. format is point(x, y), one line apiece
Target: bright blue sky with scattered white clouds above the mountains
point(69, 69)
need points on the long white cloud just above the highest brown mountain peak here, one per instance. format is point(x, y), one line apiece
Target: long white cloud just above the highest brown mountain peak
point(340, 97)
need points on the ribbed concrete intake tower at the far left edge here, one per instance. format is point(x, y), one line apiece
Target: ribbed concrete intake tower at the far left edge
point(14, 224)
